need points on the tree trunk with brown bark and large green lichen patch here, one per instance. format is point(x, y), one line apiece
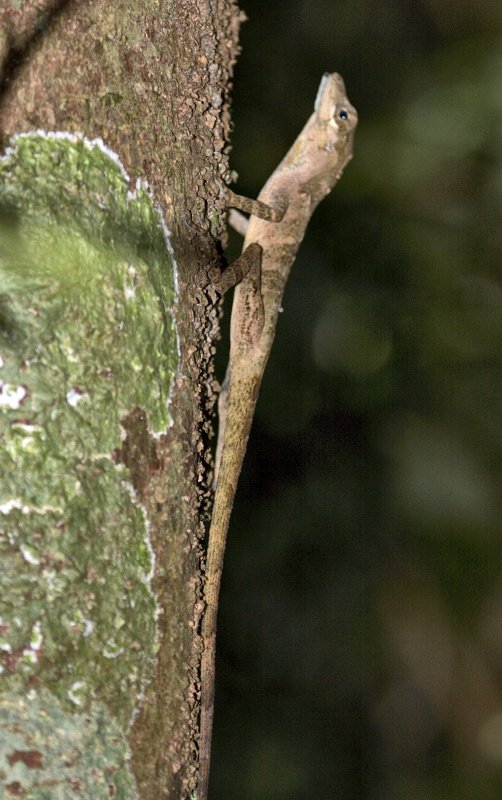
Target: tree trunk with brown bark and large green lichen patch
point(106, 386)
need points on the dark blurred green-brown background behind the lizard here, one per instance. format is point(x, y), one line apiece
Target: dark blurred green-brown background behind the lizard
point(360, 634)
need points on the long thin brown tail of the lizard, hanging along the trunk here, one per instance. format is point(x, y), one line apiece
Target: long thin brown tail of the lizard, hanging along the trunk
point(236, 434)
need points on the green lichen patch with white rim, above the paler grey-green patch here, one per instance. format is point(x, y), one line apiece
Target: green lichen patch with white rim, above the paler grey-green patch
point(86, 337)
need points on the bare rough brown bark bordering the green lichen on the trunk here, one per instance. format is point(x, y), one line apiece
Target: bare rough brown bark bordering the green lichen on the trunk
point(150, 79)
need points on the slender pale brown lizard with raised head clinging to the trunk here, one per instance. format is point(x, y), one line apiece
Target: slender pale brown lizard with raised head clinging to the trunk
point(274, 232)
